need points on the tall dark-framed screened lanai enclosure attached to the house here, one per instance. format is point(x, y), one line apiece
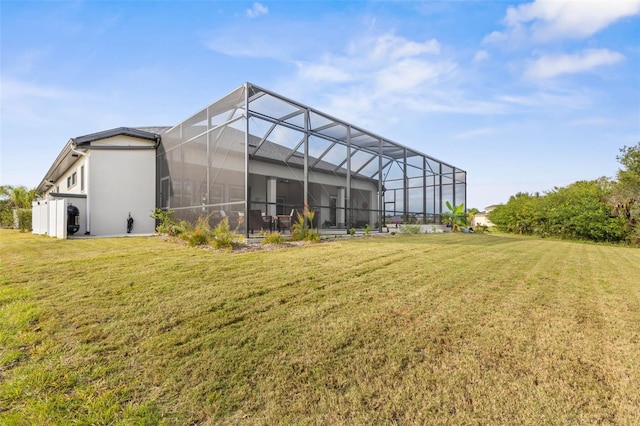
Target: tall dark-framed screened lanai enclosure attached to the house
point(255, 156)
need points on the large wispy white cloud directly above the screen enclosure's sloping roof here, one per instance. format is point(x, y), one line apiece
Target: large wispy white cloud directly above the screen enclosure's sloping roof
point(376, 74)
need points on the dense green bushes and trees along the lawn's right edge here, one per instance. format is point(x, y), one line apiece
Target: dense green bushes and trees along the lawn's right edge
point(601, 210)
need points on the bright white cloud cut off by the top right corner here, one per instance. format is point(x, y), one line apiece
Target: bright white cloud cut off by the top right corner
point(545, 20)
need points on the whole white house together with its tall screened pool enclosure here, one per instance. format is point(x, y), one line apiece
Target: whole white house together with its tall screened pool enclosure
point(251, 153)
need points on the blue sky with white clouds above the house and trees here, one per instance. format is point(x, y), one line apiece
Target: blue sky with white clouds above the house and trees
point(524, 96)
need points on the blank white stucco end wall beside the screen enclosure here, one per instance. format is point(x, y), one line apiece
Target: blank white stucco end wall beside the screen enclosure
point(122, 181)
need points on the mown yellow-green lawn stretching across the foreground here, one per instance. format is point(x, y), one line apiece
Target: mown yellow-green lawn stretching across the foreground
point(429, 329)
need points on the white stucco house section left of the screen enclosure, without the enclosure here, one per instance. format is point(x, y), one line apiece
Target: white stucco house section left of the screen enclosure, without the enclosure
point(106, 176)
